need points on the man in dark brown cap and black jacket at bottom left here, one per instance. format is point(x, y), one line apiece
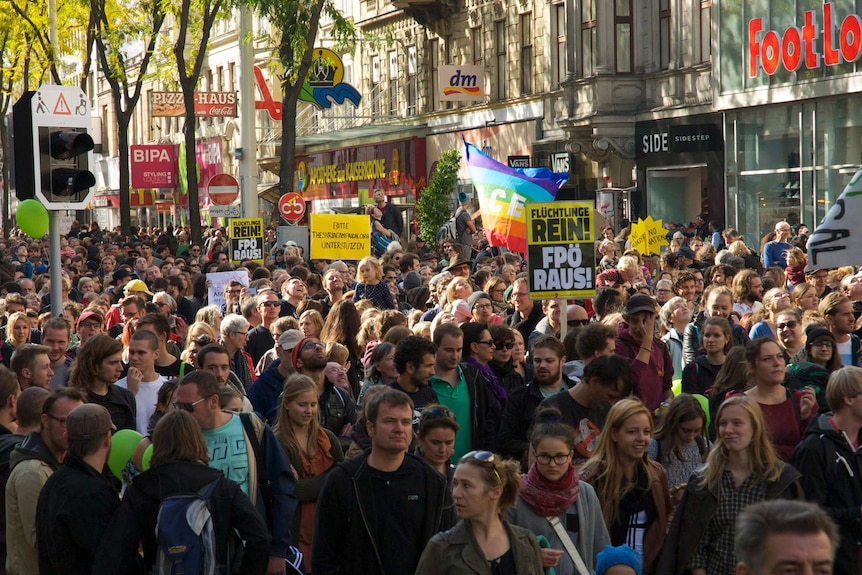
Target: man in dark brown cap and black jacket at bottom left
point(77, 502)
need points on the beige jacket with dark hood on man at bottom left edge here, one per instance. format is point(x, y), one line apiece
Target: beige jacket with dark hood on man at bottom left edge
point(32, 464)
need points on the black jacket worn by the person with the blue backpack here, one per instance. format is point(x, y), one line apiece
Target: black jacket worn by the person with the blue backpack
point(135, 520)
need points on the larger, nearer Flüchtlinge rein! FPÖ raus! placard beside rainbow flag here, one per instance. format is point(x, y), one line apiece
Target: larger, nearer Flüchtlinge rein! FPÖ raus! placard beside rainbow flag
point(561, 258)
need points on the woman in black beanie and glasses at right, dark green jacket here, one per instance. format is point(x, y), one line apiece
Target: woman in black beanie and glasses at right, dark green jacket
point(819, 359)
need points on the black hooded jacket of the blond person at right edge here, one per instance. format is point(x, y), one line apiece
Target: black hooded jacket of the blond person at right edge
point(831, 471)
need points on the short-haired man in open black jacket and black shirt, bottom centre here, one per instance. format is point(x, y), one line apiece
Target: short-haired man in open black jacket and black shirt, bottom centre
point(401, 507)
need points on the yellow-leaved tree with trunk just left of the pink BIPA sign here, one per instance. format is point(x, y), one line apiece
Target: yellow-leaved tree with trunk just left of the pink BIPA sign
point(141, 22)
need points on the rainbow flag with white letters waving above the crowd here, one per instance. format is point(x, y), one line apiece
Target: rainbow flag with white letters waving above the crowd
point(503, 191)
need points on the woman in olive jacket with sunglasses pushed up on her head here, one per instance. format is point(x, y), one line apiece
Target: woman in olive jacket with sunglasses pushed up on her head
point(483, 542)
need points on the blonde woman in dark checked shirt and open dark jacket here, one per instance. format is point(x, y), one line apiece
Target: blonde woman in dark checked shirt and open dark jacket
point(742, 468)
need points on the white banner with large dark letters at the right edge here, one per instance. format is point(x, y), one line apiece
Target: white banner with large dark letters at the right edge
point(833, 244)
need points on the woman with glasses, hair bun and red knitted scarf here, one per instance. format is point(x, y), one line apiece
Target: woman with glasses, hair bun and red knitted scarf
point(553, 502)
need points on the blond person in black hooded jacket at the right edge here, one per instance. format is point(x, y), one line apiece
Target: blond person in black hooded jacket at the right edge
point(831, 463)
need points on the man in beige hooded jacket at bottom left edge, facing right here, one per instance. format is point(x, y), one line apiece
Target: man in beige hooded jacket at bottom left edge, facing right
point(32, 463)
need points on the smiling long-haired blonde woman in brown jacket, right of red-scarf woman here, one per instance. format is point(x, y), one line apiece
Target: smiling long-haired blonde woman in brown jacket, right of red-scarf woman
point(632, 489)
